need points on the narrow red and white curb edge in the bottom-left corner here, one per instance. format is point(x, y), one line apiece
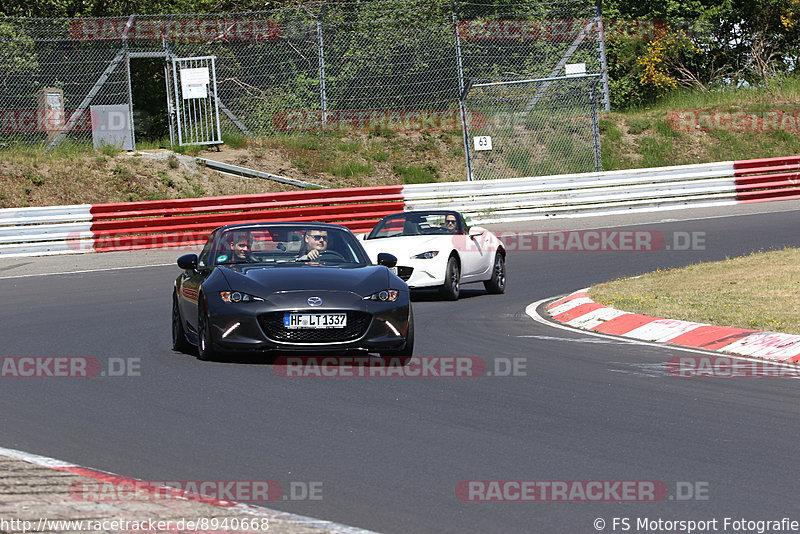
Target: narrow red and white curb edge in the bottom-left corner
point(110, 478)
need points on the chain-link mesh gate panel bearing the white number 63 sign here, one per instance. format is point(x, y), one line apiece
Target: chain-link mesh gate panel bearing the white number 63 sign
point(533, 127)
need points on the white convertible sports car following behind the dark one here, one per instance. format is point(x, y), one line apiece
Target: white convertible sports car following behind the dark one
point(438, 249)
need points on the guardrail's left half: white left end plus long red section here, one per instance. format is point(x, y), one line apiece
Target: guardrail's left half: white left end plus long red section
point(182, 222)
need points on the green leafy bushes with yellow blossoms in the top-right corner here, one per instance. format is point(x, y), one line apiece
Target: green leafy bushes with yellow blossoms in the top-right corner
point(728, 42)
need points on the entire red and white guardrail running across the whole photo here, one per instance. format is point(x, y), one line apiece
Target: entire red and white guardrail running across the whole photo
point(188, 221)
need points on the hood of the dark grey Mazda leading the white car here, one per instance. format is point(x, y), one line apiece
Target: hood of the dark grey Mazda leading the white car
point(262, 280)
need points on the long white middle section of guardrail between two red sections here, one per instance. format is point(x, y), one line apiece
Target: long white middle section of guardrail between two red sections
point(596, 193)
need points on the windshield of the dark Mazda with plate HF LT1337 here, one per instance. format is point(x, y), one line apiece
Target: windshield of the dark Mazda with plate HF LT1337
point(287, 244)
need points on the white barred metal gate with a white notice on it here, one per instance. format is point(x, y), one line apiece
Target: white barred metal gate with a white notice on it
point(192, 101)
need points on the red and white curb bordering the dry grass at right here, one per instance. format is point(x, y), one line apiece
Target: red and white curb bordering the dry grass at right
point(579, 311)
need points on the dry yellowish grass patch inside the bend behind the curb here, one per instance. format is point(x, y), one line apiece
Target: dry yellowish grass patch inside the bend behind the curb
point(758, 291)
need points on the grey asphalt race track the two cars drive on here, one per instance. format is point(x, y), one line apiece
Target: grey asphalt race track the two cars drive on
point(390, 452)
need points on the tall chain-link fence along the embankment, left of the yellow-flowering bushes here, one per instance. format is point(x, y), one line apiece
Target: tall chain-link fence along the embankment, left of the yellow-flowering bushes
point(341, 66)
